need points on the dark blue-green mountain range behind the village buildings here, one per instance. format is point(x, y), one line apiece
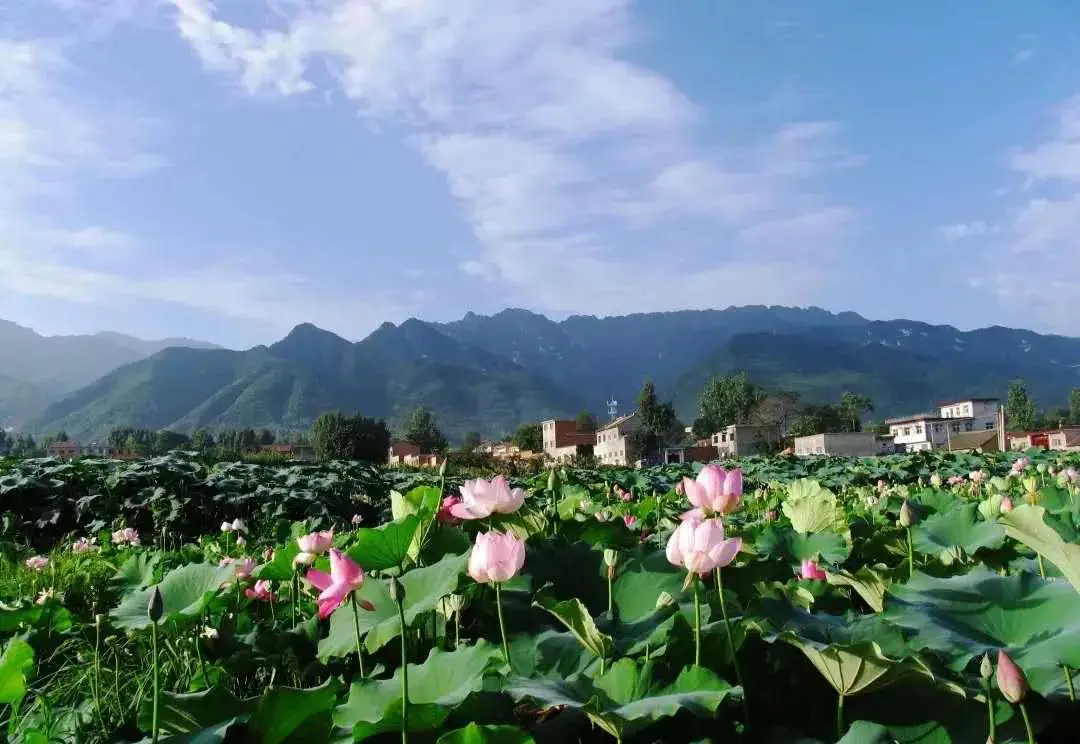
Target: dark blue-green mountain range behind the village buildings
point(491, 374)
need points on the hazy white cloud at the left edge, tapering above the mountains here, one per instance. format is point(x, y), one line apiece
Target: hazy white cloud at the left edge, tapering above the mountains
point(56, 138)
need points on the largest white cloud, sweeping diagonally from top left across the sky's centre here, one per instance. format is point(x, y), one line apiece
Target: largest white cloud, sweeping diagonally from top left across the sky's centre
point(574, 165)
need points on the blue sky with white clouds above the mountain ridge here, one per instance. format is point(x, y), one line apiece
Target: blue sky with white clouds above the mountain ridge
point(226, 171)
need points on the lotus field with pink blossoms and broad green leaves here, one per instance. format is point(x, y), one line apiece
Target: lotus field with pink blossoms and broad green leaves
point(921, 599)
